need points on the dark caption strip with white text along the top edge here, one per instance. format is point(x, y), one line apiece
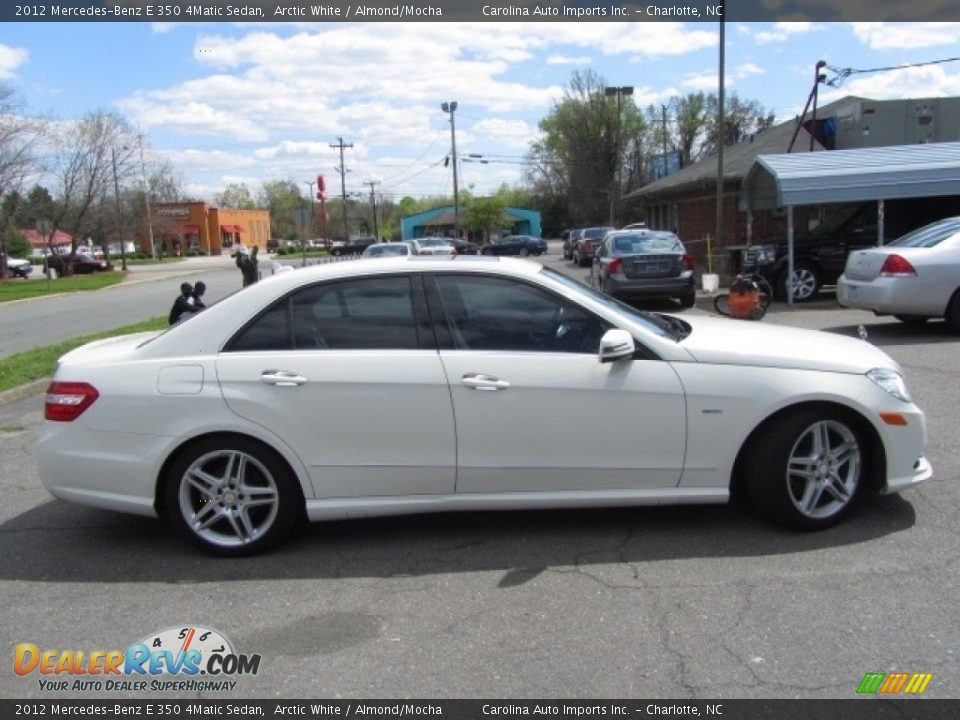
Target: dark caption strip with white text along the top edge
point(479, 10)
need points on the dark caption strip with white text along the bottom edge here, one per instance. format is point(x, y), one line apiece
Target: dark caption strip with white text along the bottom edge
point(865, 708)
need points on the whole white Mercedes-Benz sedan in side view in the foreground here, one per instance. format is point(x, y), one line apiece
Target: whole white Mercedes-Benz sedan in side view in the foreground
point(416, 385)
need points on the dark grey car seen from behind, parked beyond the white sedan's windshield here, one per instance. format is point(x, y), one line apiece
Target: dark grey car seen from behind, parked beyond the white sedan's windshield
point(634, 264)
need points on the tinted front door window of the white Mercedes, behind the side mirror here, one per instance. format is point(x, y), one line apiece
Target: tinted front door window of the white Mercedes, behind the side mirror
point(492, 313)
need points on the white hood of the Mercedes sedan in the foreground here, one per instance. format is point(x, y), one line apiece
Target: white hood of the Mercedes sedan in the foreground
point(725, 341)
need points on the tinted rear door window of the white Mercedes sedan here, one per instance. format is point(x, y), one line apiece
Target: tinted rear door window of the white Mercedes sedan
point(362, 314)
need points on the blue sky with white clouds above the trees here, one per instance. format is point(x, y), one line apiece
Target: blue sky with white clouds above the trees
point(248, 102)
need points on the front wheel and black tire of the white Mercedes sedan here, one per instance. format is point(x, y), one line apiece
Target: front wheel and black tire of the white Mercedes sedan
point(820, 487)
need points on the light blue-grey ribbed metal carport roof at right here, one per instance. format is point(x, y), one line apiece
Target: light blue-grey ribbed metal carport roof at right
point(838, 176)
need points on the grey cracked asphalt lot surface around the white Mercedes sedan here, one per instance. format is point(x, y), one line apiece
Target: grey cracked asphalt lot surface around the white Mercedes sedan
point(679, 602)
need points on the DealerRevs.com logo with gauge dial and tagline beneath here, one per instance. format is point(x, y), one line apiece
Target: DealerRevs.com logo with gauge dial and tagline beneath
point(185, 658)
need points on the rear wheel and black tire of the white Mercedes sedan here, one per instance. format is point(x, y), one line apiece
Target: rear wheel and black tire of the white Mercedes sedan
point(253, 499)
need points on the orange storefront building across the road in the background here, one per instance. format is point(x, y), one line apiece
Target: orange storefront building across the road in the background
point(194, 227)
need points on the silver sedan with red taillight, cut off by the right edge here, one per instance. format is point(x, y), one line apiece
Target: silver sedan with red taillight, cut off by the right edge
point(914, 278)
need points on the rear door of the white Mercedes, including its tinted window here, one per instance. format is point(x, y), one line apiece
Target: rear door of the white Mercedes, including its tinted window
point(348, 375)
